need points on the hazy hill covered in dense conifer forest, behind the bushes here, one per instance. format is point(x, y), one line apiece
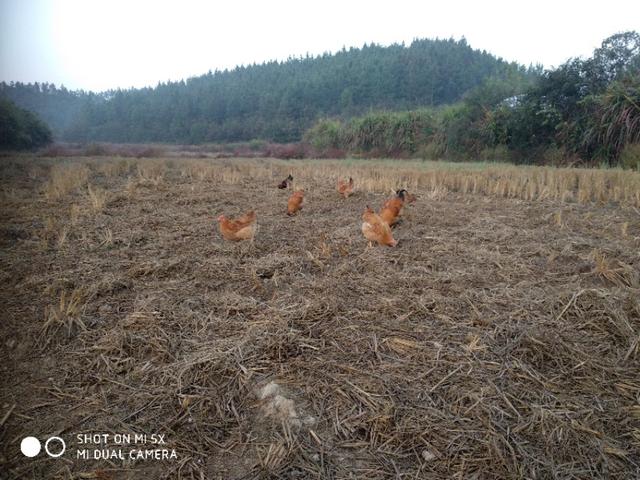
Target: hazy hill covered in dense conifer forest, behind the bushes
point(274, 101)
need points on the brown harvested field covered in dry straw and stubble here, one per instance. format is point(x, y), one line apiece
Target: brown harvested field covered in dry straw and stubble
point(499, 339)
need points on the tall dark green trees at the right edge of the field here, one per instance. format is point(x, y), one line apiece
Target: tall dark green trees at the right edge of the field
point(585, 109)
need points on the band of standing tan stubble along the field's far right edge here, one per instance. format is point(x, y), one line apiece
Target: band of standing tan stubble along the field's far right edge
point(542, 183)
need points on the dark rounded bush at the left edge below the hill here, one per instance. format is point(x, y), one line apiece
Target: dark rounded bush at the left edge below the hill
point(20, 129)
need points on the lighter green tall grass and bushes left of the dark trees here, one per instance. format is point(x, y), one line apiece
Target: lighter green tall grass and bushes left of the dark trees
point(463, 130)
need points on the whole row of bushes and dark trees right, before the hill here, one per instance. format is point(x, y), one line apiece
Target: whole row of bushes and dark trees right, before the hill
point(586, 110)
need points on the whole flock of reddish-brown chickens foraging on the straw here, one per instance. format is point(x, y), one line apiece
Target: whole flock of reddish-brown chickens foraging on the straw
point(376, 227)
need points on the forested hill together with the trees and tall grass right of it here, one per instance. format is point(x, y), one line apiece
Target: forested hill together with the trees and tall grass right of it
point(435, 99)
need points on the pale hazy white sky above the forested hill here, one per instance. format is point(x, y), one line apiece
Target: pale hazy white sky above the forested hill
point(98, 45)
